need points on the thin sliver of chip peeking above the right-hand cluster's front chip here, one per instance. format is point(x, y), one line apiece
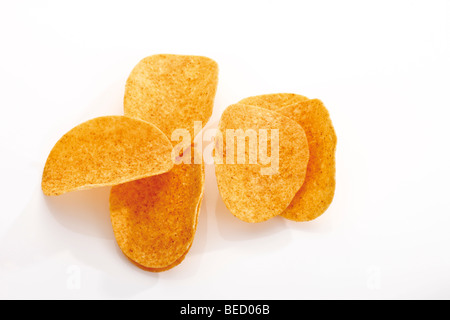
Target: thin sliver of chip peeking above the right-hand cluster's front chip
point(274, 101)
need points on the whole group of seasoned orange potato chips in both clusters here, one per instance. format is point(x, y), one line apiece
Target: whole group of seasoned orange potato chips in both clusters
point(274, 155)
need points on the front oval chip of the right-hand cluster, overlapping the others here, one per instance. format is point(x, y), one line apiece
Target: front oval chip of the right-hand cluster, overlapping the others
point(248, 194)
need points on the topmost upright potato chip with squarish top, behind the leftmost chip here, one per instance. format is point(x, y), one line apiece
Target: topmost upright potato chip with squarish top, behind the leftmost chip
point(172, 91)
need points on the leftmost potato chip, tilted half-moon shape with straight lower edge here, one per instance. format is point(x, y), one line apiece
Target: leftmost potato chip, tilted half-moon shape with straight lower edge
point(106, 151)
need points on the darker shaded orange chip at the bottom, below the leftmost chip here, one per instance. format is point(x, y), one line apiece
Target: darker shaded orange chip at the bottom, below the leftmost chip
point(155, 219)
